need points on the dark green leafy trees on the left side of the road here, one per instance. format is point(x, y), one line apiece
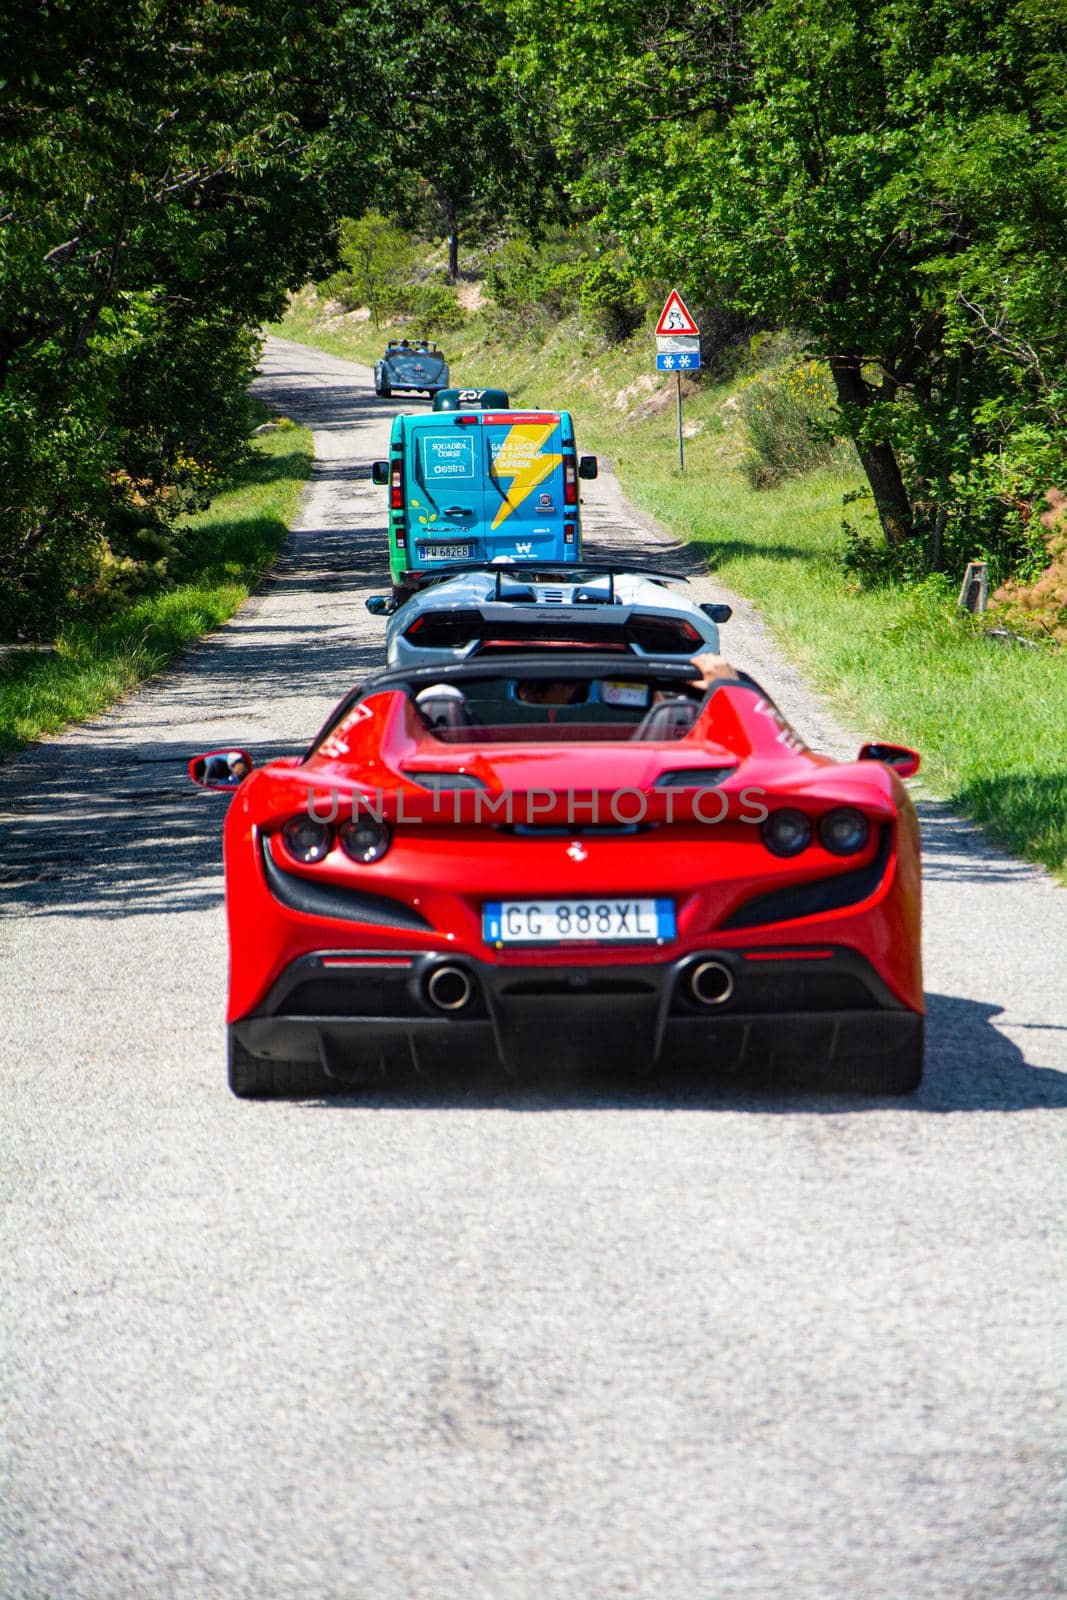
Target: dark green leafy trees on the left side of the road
point(167, 170)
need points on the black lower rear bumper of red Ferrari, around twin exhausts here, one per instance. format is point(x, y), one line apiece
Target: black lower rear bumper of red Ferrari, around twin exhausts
point(818, 1020)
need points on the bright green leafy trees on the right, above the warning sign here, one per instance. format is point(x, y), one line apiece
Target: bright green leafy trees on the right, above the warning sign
point(885, 175)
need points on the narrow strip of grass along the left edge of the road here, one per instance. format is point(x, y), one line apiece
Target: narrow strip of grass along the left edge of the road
point(236, 540)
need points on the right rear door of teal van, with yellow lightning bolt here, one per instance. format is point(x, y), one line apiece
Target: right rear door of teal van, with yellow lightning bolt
point(526, 489)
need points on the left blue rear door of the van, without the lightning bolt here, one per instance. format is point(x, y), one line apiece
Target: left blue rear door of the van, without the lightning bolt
point(446, 494)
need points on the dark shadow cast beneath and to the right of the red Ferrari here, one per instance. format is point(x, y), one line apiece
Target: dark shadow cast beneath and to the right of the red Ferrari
point(970, 1066)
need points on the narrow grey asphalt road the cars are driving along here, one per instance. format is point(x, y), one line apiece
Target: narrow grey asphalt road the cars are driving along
point(482, 1343)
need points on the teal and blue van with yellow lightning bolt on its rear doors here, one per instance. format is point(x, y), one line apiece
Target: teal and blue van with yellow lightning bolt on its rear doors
point(476, 482)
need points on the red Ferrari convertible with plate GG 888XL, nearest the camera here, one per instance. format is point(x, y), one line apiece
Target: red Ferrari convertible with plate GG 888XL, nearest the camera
point(572, 860)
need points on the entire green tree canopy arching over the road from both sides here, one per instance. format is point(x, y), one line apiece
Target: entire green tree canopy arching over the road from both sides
point(885, 177)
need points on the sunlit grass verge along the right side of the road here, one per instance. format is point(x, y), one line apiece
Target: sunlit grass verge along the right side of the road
point(903, 665)
